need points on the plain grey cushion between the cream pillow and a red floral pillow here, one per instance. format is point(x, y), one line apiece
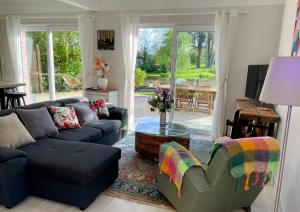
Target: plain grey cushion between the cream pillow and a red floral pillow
point(38, 122)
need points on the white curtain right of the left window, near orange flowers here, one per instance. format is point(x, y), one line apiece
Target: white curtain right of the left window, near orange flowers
point(86, 37)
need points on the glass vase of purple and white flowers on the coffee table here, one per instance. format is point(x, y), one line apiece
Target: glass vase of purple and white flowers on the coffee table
point(163, 101)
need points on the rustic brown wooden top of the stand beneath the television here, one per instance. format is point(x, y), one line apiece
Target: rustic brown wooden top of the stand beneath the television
point(249, 110)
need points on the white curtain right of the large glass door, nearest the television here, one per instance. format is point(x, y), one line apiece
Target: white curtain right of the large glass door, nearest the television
point(226, 25)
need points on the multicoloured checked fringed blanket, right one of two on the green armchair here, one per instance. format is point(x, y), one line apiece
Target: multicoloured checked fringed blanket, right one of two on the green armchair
point(259, 155)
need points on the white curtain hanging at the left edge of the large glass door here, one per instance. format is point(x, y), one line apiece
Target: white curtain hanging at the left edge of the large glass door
point(129, 22)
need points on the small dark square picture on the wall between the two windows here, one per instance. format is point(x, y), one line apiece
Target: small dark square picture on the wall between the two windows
point(106, 39)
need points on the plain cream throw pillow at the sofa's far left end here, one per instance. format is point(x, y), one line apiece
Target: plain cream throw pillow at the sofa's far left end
point(13, 133)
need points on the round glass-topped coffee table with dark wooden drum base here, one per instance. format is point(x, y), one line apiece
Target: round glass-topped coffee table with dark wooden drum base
point(150, 135)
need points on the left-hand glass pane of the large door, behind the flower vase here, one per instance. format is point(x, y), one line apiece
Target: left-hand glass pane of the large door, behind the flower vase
point(153, 69)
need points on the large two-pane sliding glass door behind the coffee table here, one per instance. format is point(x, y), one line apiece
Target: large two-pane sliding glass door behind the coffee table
point(181, 59)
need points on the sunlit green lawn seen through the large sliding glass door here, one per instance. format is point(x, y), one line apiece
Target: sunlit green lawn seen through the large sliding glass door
point(191, 73)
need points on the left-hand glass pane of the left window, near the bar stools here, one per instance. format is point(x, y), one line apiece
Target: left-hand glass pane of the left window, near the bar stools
point(35, 67)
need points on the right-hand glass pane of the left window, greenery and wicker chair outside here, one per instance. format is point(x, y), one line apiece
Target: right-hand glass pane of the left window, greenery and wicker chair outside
point(67, 62)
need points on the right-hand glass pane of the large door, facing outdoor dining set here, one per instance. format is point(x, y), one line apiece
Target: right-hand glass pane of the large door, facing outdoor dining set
point(195, 80)
